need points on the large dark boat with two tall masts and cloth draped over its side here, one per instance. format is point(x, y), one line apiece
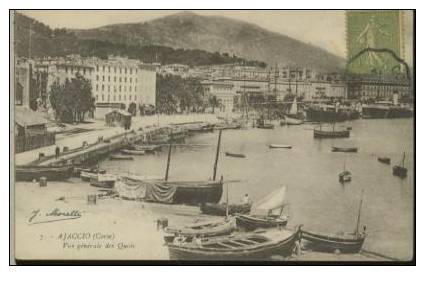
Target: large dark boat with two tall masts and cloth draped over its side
point(175, 192)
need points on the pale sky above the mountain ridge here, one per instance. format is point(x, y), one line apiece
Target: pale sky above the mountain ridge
point(323, 28)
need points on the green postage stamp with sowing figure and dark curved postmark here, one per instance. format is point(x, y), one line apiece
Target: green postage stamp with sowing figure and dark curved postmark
point(376, 33)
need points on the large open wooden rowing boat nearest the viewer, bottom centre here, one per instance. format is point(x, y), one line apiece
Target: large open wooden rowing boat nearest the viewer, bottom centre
point(244, 246)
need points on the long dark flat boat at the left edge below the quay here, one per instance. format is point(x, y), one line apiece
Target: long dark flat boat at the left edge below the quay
point(51, 173)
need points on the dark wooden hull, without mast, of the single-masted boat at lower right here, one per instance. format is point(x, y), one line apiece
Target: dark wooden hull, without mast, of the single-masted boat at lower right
point(331, 243)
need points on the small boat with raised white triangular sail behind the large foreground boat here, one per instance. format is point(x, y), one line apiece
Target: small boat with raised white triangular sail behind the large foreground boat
point(266, 213)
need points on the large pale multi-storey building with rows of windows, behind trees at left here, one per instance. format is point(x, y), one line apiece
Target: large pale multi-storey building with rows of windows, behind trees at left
point(116, 82)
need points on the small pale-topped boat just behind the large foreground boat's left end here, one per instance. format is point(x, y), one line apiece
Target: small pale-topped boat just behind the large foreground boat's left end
point(204, 229)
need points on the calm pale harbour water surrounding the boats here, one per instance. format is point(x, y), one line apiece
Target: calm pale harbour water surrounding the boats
point(309, 171)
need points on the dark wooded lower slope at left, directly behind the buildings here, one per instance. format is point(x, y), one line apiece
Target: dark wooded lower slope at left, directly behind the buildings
point(59, 42)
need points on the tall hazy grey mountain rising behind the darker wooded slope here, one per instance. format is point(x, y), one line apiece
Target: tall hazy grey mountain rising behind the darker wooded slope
point(217, 34)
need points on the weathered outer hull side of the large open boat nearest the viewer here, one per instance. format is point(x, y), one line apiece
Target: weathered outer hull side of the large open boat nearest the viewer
point(283, 247)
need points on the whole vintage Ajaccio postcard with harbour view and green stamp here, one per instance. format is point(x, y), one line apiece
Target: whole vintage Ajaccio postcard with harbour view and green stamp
point(283, 136)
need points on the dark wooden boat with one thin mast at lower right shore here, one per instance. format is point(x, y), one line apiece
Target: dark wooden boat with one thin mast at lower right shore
point(344, 242)
